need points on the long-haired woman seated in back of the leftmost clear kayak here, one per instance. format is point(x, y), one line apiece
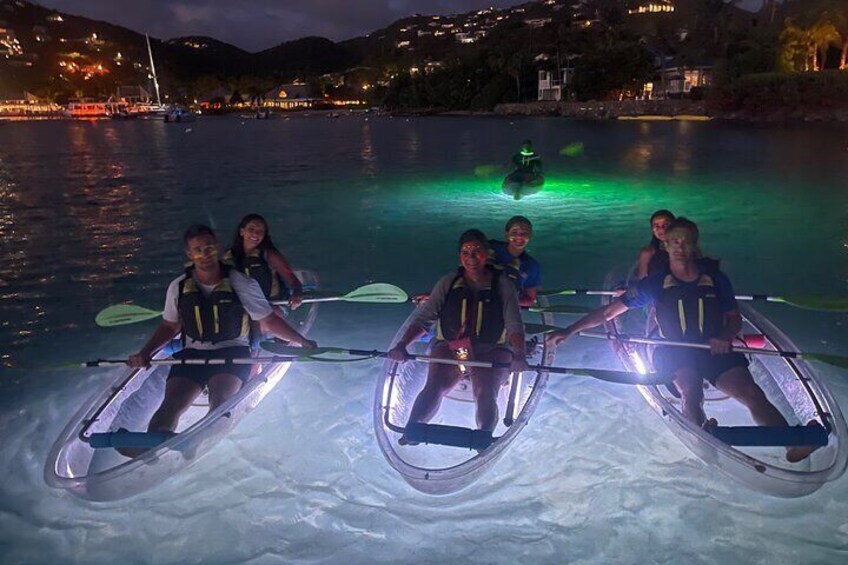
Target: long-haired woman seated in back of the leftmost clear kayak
point(254, 254)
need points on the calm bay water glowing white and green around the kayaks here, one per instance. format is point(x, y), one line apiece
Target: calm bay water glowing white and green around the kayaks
point(91, 214)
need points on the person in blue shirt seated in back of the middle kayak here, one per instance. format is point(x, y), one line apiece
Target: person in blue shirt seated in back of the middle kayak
point(511, 256)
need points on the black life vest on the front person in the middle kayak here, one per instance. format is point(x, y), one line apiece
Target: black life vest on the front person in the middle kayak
point(476, 315)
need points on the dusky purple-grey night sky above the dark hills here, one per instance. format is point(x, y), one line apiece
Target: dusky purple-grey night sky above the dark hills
point(255, 25)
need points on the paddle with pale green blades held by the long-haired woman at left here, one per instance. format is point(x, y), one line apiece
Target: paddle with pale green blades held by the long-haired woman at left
point(375, 293)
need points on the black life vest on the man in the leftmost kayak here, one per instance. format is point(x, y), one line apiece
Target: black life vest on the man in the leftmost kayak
point(214, 318)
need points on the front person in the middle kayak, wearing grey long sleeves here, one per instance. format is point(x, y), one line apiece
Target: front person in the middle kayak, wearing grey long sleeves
point(476, 314)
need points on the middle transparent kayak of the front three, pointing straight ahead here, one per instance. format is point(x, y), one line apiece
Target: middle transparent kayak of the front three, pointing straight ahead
point(454, 454)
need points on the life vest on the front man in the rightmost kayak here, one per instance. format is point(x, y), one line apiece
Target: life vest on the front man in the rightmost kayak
point(690, 312)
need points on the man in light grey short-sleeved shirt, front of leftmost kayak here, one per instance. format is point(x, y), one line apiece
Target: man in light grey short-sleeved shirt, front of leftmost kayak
point(211, 304)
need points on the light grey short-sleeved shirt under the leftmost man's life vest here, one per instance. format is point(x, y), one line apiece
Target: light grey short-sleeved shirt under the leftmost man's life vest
point(249, 293)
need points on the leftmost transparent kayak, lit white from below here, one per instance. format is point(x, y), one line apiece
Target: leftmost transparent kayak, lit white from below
point(102, 474)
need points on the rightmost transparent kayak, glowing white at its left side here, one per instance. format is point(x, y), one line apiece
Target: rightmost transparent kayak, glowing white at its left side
point(791, 385)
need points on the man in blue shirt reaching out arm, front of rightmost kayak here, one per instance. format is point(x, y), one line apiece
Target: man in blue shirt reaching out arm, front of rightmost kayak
point(694, 302)
